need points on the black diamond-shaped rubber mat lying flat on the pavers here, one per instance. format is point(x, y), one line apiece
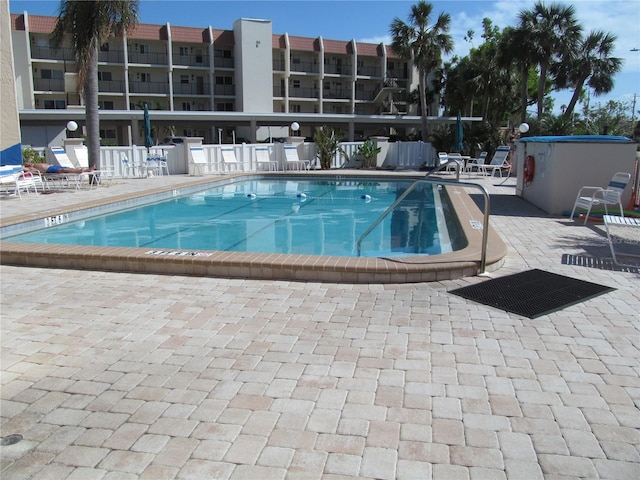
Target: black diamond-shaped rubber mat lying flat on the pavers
point(532, 293)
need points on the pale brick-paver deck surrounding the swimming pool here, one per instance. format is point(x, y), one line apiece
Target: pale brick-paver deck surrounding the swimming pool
point(121, 375)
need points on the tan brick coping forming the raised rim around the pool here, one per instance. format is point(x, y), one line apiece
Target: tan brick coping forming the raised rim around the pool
point(409, 269)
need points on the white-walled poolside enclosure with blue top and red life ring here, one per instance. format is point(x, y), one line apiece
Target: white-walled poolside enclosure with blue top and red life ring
point(563, 164)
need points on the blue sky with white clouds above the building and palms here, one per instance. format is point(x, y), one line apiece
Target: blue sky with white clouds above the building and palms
point(369, 20)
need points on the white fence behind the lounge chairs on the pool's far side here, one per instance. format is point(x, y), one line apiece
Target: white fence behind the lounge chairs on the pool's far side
point(399, 155)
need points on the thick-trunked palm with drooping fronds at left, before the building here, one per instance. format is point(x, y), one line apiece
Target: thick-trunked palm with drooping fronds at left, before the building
point(87, 25)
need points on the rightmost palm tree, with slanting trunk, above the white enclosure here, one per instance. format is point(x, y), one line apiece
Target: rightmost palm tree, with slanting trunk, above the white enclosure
point(592, 64)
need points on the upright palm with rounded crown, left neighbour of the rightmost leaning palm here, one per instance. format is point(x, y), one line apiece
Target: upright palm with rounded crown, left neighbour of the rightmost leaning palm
point(554, 31)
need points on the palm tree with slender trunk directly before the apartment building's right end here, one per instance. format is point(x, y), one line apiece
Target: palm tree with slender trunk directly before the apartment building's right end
point(422, 44)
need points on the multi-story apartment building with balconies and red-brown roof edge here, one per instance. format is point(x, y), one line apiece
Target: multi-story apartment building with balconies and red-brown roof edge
point(206, 82)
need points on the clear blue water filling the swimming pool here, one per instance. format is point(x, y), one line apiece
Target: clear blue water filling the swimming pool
point(294, 216)
